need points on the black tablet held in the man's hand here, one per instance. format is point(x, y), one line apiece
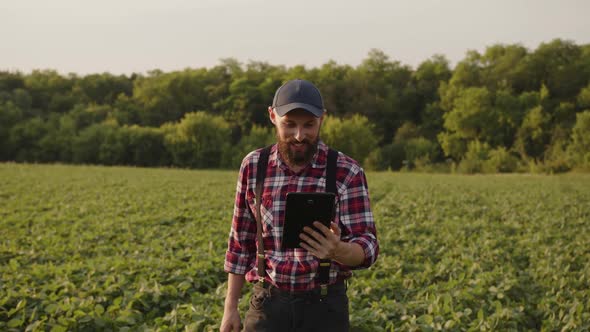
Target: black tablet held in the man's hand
point(302, 210)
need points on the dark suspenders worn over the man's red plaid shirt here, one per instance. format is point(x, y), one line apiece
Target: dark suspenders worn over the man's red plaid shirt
point(324, 268)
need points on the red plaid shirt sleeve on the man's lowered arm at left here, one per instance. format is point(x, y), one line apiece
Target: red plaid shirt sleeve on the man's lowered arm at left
point(241, 249)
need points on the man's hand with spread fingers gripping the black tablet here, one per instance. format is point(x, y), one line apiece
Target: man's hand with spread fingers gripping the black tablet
point(323, 244)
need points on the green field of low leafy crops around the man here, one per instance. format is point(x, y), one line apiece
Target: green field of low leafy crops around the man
point(97, 248)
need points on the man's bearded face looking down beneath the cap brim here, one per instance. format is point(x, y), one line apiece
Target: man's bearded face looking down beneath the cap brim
point(297, 134)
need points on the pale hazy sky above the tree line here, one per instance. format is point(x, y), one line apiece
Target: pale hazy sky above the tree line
point(125, 36)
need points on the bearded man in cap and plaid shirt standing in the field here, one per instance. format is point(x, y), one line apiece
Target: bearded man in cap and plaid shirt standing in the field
point(288, 294)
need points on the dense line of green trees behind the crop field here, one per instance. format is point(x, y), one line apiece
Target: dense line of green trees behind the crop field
point(504, 110)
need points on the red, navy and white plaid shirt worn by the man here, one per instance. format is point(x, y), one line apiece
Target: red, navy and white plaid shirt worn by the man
point(296, 269)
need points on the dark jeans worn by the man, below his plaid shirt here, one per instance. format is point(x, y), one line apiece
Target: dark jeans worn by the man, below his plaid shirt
point(275, 310)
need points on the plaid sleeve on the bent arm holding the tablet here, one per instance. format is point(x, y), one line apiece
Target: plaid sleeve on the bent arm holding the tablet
point(357, 218)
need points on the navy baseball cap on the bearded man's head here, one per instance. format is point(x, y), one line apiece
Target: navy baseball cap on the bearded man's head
point(298, 94)
